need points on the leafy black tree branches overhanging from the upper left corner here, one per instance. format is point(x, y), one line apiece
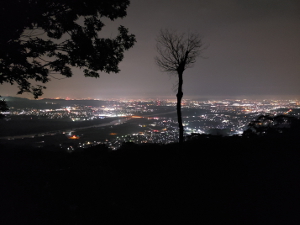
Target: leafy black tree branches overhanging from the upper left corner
point(40, 38)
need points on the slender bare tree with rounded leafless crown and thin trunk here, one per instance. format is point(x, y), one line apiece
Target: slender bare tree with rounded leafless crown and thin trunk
point(176, 53)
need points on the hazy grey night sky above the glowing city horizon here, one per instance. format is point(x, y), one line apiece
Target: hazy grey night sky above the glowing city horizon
point(253, 50)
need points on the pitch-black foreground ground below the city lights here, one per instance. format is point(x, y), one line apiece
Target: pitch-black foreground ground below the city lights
point(209, 181)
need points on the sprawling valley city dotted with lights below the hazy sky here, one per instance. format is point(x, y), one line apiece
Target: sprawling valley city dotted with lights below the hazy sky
point(114, 122)
